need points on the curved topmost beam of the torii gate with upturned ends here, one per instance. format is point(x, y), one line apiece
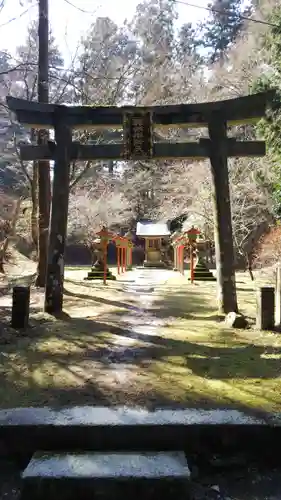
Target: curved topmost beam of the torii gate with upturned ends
point(240, 110)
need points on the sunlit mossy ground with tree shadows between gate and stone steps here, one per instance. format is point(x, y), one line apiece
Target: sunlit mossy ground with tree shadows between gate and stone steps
point(91, 354)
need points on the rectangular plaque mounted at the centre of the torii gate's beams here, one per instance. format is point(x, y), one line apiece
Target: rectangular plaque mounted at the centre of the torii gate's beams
point(137, 135)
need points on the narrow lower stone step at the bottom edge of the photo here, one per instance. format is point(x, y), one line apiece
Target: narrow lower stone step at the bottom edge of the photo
point(110, 475)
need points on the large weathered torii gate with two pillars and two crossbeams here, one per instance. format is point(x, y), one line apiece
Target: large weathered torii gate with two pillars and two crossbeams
point(137, 124)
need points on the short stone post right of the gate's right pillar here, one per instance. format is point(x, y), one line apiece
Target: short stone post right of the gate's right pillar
point(265, 308)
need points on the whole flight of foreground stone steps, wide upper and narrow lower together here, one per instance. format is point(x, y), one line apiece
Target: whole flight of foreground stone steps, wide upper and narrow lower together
point(98, 452)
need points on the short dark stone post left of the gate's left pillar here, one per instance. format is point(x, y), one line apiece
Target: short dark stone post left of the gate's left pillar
point(20, 307)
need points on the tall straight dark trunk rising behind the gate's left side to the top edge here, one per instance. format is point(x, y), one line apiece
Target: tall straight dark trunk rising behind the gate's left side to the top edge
point(44, 190)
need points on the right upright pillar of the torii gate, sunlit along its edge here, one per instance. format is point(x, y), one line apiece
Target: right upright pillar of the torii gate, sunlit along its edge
point(227, 299)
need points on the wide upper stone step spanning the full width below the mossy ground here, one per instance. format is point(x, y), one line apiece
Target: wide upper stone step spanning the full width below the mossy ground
point(121, 428)
